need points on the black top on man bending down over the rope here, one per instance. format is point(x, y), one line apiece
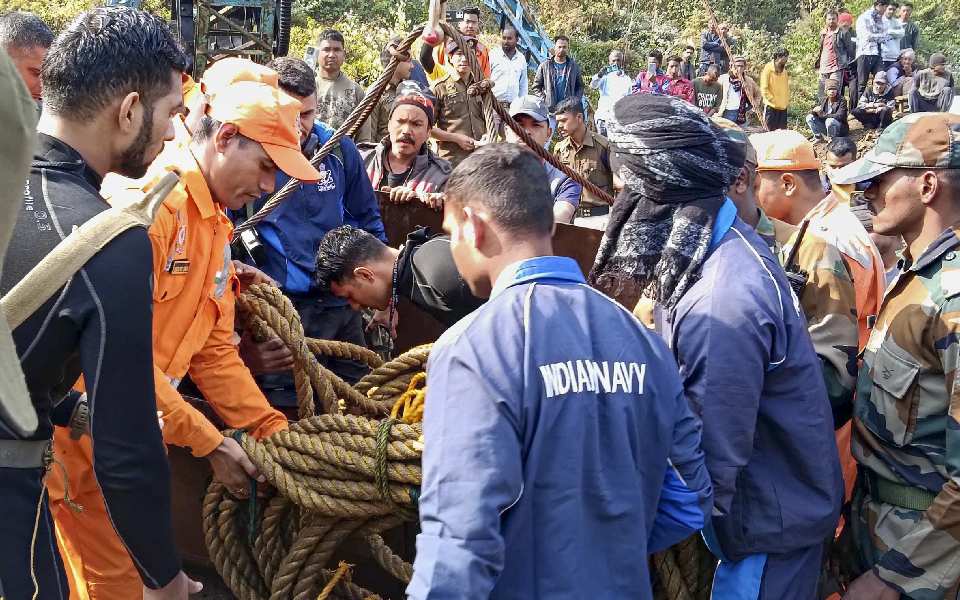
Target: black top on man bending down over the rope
point(428, 277)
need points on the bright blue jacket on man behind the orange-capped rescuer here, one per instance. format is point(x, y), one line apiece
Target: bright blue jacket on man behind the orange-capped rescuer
point(291, 234)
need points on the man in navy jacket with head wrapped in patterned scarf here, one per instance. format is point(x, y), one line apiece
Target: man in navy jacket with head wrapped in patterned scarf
point(734, 325)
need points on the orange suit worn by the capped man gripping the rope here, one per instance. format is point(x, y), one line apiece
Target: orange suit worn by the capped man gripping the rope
point(194, 289)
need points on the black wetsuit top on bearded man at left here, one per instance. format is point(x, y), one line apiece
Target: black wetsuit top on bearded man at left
point(99, 325)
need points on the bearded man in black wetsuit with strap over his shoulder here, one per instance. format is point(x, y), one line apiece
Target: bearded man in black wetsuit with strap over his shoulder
point(111, 83)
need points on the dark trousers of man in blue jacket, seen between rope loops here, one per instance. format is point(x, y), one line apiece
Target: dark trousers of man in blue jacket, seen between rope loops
point(340, 323)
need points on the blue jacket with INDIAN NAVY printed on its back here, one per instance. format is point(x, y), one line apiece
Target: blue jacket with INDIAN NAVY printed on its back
point(552, 420)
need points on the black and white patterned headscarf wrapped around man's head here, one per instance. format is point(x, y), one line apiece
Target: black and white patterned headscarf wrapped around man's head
point(676, 166)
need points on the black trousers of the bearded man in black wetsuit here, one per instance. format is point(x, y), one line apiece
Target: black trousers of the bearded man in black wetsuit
point(20, 491)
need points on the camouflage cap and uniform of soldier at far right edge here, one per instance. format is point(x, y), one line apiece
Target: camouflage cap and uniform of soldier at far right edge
point(906, 514)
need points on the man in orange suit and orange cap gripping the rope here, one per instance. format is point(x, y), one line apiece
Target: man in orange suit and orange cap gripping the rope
point(249, 131)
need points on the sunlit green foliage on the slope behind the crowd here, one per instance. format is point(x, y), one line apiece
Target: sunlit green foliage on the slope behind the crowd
point(595, 27)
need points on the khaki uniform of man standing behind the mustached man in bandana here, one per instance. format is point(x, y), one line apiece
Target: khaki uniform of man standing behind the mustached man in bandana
point(457, 112)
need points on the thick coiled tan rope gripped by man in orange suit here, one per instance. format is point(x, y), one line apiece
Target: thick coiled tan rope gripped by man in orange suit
point(348, 474)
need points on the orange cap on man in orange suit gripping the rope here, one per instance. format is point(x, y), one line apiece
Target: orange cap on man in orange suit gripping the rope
point(266, 115)
